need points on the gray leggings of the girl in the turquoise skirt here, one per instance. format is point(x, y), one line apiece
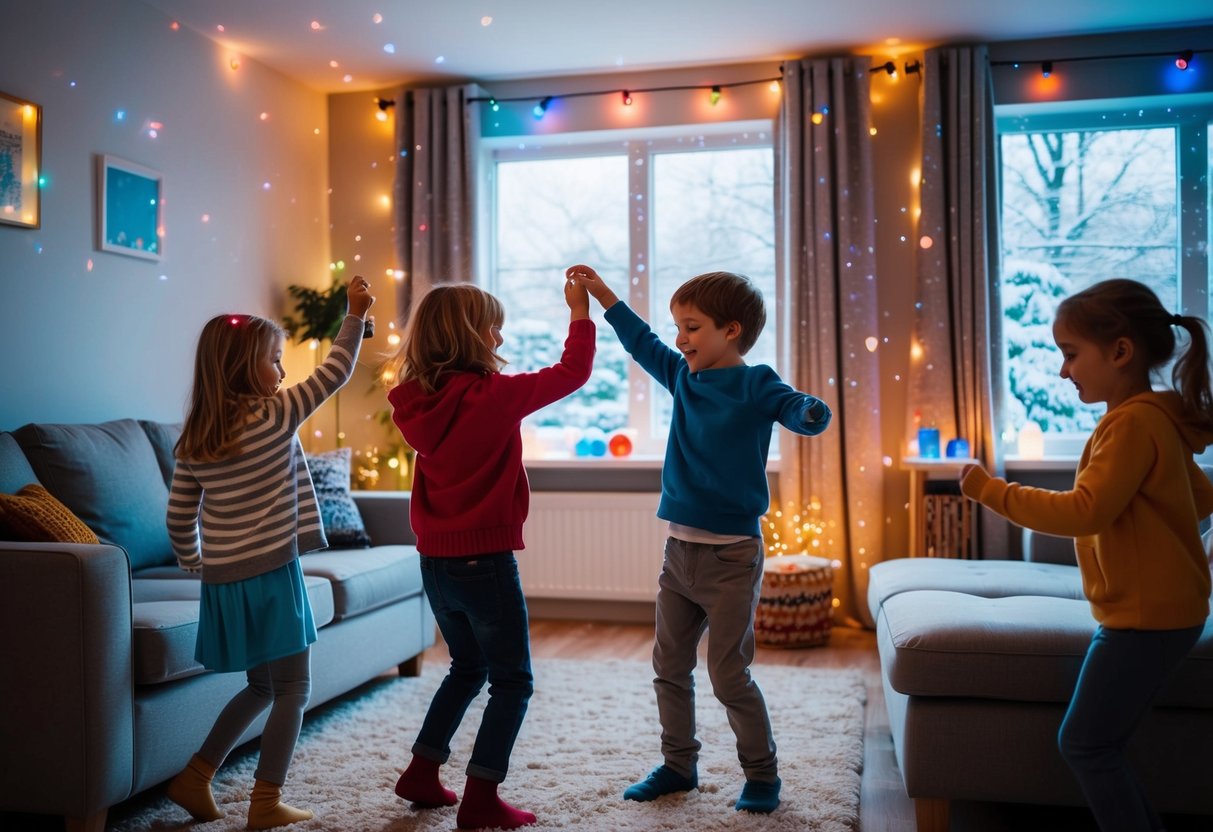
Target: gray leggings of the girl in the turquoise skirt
point(283, 686)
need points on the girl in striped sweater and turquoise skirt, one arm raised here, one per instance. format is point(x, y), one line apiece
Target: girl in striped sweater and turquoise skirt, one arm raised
point(242, 509)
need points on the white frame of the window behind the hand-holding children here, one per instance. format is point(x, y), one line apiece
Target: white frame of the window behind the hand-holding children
point(636, 145)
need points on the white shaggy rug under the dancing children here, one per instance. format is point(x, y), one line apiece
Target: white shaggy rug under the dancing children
point(590, 733)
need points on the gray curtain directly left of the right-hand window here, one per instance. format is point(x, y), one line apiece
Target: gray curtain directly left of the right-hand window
point(956, 380)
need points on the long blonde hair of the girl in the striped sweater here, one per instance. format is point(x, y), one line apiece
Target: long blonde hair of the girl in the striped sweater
point(225, 385)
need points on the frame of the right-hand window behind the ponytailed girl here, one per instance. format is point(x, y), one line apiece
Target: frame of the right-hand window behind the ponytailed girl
point(1192, 117)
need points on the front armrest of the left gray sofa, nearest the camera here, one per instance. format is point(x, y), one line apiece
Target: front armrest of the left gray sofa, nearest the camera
point(66, 689)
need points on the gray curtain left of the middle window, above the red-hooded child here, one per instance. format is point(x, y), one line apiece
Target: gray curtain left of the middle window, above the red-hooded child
point(437, 133)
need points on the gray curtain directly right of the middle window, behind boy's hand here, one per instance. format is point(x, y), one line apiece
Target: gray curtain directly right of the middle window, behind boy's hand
point(830, 486)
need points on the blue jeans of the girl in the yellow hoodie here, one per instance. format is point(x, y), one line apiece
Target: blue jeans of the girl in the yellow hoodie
point(1123, 674)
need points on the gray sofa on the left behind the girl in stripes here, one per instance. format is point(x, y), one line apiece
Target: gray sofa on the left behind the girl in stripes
point(100, 696)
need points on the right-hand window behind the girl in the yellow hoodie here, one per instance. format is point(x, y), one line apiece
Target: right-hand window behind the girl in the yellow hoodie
point(1094, 191)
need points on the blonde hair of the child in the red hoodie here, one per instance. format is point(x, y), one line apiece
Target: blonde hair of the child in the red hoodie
point(447, 334)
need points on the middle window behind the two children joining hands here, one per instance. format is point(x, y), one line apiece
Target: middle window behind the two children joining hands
point(648, 212)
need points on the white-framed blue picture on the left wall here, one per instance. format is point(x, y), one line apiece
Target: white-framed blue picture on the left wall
point(130, 216)
